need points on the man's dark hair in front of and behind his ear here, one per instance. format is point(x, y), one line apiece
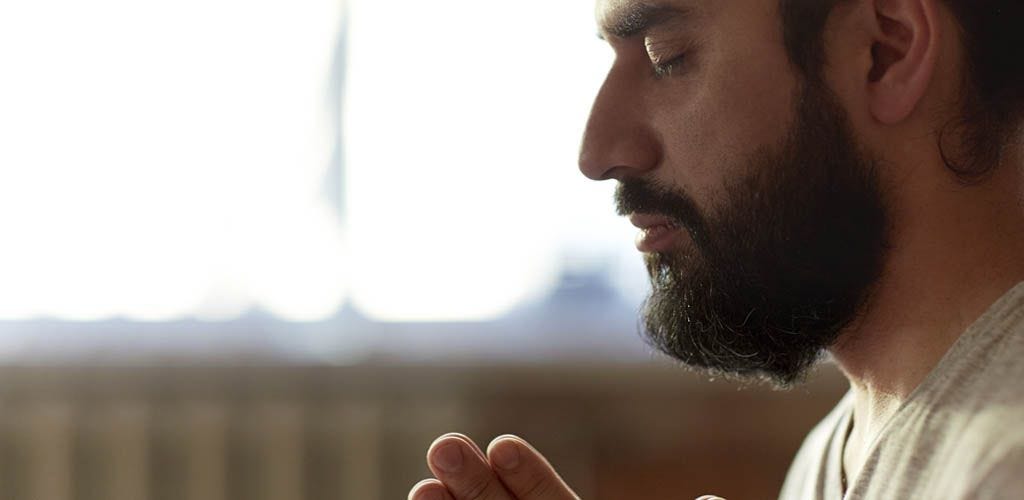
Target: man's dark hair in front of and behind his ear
point(993, 103)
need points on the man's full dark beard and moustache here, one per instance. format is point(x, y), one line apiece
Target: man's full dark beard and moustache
point(777, 274)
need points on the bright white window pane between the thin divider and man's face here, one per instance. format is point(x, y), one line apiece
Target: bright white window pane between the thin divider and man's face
point(463, 121)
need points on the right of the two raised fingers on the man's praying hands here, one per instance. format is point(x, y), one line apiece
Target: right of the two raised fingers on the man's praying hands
point(526, 473)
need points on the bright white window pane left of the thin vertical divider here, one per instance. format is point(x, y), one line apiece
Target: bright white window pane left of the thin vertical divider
point(165, 160)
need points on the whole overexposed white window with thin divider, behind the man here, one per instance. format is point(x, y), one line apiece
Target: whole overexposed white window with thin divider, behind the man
point(402, 161)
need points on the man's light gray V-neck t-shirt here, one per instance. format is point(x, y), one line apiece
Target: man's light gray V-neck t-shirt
point(959, 436)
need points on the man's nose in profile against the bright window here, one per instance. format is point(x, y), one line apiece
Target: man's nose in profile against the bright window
point(619, 142)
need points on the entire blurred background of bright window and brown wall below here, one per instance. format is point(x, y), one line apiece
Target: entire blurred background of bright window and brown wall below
point(272, 249)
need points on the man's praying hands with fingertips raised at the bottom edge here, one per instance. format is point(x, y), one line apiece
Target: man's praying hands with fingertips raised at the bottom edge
point(510, 471)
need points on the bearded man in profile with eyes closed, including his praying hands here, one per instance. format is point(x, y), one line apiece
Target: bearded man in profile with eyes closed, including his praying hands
point(815, 177)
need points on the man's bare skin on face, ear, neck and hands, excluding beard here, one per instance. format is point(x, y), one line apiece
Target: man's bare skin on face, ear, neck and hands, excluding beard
point(895, 67)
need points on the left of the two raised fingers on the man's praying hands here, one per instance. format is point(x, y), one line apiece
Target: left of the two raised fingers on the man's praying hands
point(465, 472)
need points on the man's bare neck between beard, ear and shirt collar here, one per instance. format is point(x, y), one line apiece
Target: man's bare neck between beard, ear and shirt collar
point(955, 251)
